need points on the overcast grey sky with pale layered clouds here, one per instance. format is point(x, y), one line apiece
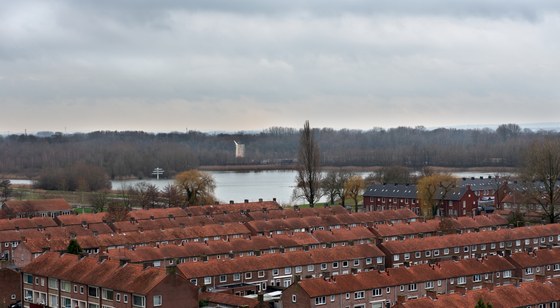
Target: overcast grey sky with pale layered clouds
point(248, 65)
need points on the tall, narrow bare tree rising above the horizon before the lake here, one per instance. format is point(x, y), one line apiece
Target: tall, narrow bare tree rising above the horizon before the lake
point(308, 178)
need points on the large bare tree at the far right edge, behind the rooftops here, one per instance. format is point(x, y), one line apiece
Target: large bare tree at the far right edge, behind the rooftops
point(542, 172)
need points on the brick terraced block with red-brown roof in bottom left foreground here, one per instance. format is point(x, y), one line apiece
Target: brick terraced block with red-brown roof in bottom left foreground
point(70, 281)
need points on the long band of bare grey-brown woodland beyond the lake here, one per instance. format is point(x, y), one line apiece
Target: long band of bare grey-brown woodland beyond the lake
point(136, 153)
